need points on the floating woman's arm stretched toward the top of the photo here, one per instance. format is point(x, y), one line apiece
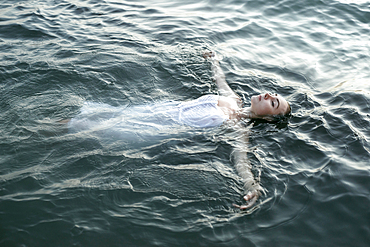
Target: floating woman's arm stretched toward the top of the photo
point(223, 88)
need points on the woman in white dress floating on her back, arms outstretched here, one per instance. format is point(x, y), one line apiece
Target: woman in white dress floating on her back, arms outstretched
point(141, 123)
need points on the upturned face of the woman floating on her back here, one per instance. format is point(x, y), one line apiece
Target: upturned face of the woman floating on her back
point(268, 104)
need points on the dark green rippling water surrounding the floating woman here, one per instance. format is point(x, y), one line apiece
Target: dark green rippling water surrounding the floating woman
point(65, 189)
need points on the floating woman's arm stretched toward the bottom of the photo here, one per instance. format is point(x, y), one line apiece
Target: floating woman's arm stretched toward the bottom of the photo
point(252, 188)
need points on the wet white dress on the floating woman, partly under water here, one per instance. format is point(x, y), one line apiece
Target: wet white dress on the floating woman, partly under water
point(146, 121)
